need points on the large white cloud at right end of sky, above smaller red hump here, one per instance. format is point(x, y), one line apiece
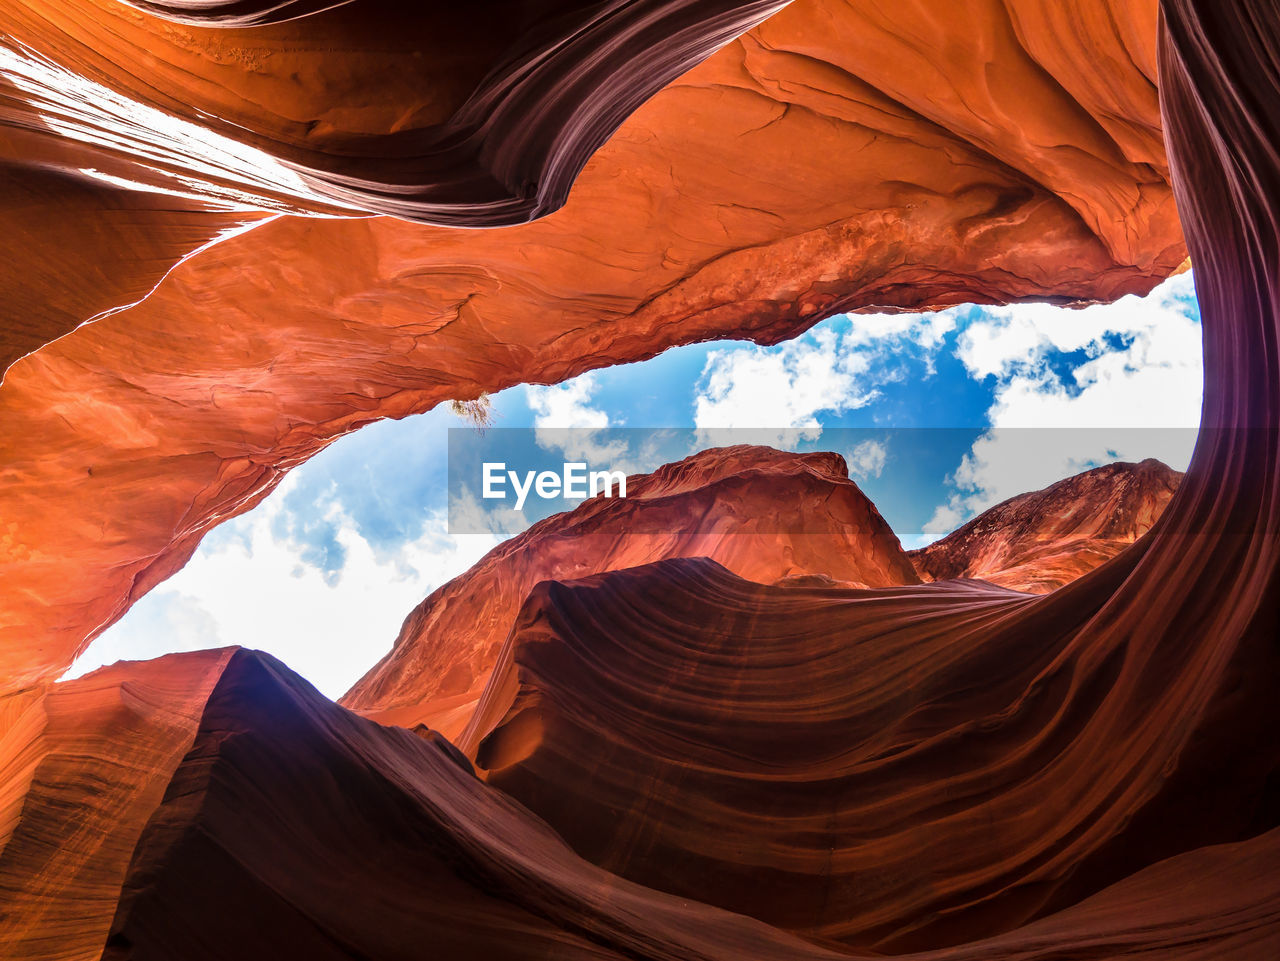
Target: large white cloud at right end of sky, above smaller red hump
point(1076, 390)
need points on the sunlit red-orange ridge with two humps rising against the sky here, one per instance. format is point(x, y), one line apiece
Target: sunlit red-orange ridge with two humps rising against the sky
point(767, 516)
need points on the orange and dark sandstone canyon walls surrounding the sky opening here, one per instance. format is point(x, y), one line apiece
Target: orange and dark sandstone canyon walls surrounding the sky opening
point(730, 716)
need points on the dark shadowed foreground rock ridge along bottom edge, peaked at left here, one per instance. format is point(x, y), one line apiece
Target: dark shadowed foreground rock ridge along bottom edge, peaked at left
point(292, 826)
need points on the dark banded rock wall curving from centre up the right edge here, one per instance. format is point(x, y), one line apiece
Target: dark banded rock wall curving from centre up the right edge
point(1105, 729)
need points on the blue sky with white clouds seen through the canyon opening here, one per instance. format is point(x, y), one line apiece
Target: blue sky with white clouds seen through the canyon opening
point(324, 571)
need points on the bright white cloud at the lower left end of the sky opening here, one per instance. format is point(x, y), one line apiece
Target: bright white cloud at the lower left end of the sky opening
point(266, 596)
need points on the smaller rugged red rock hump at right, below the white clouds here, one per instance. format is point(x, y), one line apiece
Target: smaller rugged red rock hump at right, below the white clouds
point(1041, 541)
